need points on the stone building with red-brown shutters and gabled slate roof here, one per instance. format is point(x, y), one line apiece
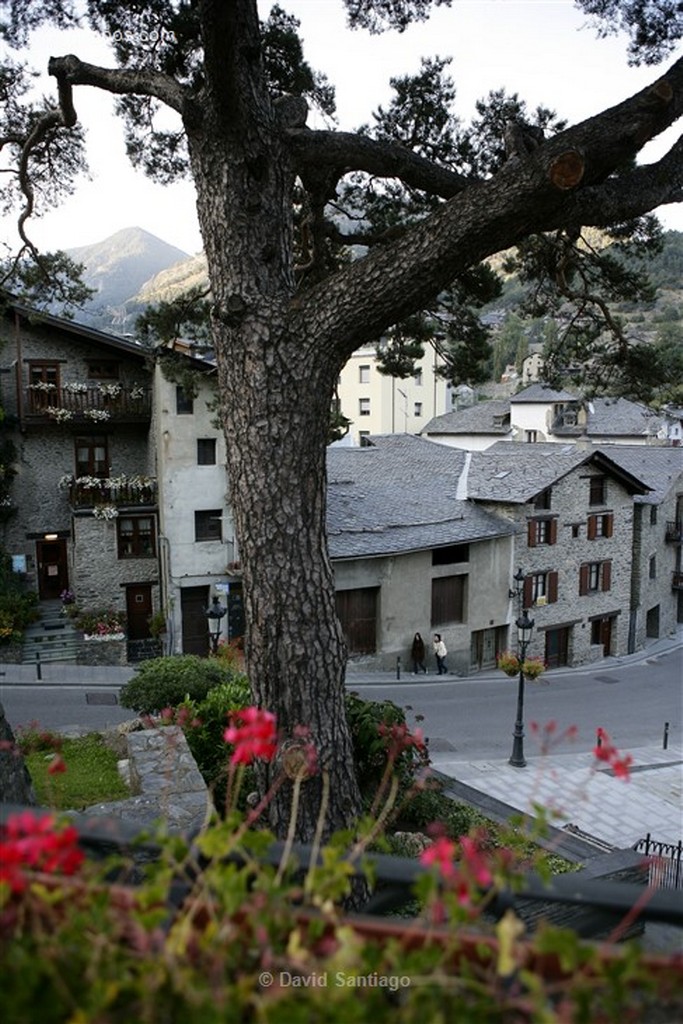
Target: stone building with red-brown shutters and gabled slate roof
point(574, 513)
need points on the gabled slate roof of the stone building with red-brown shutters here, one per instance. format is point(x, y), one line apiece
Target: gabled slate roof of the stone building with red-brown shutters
point(517, 474)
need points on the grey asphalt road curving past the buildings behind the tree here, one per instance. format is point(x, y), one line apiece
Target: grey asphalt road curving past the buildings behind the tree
point(467, 718)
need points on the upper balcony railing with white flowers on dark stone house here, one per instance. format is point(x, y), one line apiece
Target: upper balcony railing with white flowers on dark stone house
point(83, 404)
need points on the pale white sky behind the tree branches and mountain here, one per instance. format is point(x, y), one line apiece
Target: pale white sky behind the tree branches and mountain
point(545, 51)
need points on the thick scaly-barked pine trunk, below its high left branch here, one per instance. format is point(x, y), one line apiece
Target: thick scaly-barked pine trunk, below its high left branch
point(276, 393)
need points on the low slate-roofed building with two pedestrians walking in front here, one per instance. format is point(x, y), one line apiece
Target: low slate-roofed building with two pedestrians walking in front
point(411, 554)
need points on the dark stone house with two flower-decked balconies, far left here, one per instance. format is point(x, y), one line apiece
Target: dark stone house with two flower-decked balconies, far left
point(78, 408)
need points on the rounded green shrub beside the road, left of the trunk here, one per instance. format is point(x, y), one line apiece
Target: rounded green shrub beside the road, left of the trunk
point(166, 682)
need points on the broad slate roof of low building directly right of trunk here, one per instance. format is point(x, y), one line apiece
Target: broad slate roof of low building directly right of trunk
point(399, 496)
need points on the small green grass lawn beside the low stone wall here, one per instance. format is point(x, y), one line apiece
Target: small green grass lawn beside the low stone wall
point(91, 778)
